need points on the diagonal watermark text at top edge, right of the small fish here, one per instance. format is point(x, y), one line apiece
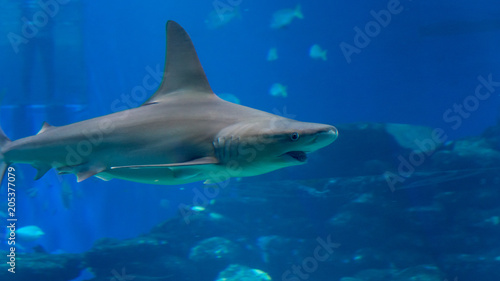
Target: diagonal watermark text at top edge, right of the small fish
point(363, 37)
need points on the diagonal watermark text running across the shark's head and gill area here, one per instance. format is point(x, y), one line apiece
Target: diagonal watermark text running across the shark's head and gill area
point(247, 152)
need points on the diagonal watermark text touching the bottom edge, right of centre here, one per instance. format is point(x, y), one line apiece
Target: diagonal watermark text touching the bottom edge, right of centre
point(310, 264)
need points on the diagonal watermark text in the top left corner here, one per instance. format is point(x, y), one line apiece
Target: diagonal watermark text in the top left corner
point(31, 27)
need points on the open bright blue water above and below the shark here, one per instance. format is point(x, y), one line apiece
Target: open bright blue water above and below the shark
point(90, 53)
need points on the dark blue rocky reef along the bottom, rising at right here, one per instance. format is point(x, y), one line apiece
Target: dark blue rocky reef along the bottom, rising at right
point(402, 203)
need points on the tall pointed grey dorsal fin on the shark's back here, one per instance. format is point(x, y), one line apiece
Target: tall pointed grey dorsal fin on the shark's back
point(183, 71)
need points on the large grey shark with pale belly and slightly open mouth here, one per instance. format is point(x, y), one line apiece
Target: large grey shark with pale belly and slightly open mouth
point(183, 133)
